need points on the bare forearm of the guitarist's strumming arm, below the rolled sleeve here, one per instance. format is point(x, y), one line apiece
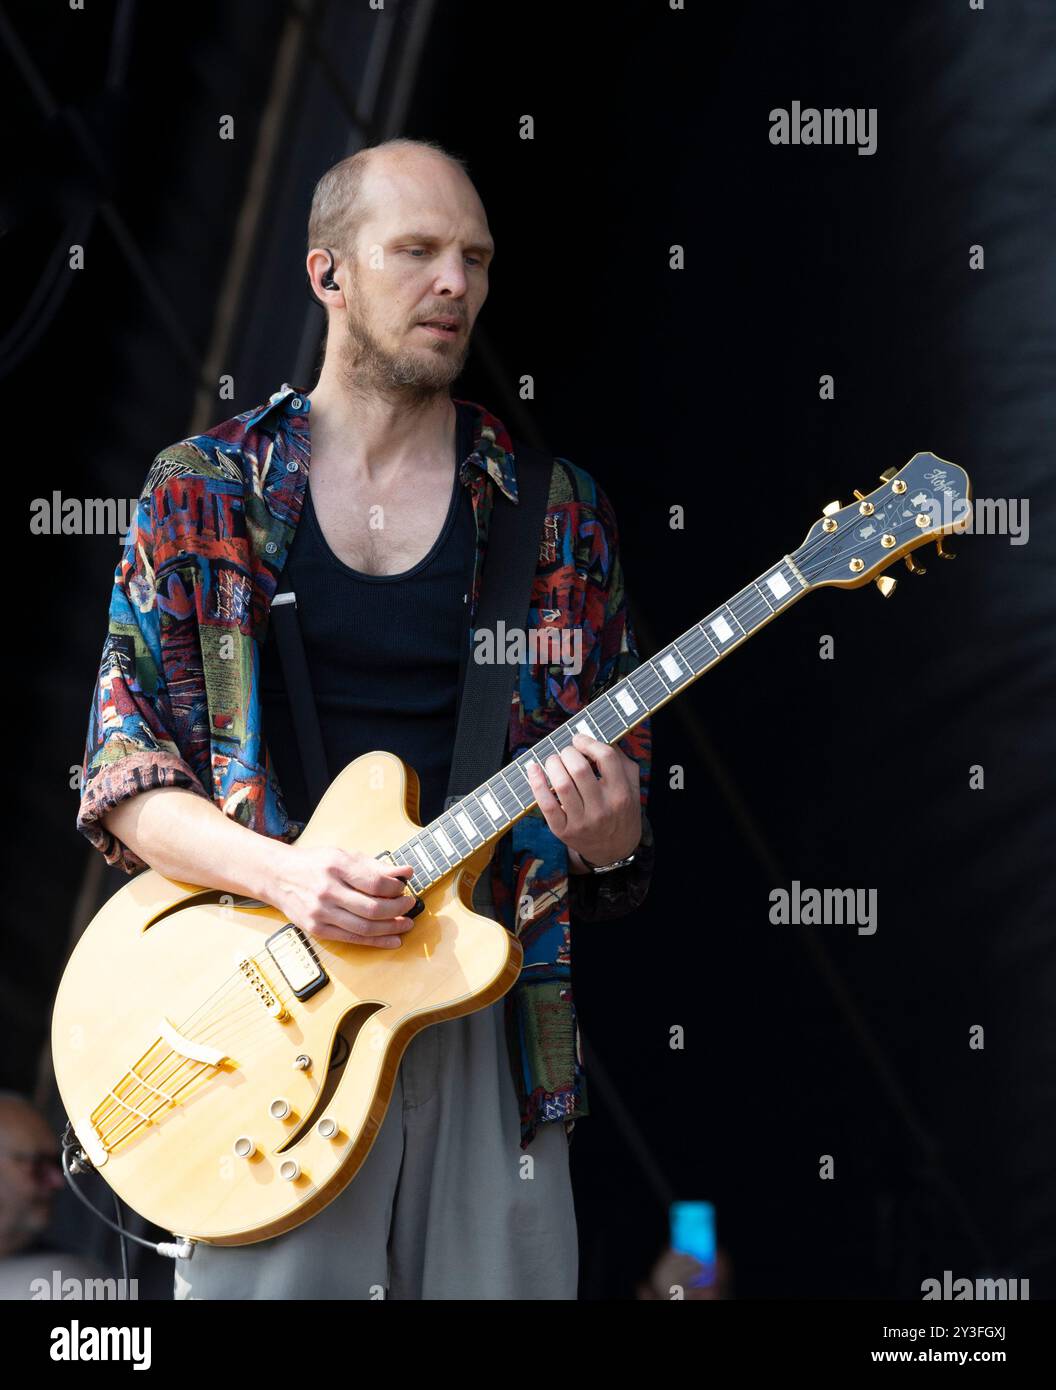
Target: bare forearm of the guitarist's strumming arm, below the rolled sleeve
point(188, 839)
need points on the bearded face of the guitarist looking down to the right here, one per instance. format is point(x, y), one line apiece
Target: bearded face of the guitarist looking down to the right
point(418, 280)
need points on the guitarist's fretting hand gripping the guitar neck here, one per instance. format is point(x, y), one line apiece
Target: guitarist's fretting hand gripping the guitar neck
point(597, 817)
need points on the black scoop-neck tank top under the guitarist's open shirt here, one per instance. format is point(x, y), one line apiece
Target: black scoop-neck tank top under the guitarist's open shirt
point(383, 651)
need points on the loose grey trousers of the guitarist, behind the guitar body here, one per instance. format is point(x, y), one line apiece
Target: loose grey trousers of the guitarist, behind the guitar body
point(445, 1204)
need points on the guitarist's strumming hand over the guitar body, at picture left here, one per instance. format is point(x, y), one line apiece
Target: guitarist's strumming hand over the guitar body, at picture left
point(343, 897)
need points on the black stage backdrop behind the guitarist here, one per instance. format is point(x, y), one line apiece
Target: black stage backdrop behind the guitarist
point(695, 387)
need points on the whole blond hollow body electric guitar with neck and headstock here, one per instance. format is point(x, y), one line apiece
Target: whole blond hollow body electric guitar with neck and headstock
point(227, 1074)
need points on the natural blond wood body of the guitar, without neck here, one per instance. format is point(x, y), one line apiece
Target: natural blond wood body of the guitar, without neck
point(167, 970)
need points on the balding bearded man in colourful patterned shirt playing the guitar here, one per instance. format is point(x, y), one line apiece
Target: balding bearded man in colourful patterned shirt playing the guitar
point(466, 1192)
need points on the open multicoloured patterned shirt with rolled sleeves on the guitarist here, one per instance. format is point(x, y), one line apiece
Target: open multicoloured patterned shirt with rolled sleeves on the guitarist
point(177, 703)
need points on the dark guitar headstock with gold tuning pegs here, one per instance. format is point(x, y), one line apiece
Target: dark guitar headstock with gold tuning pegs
point(926, 501)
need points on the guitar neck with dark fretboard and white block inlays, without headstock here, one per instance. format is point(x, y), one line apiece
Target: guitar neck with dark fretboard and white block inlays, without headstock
point(490, 811)
